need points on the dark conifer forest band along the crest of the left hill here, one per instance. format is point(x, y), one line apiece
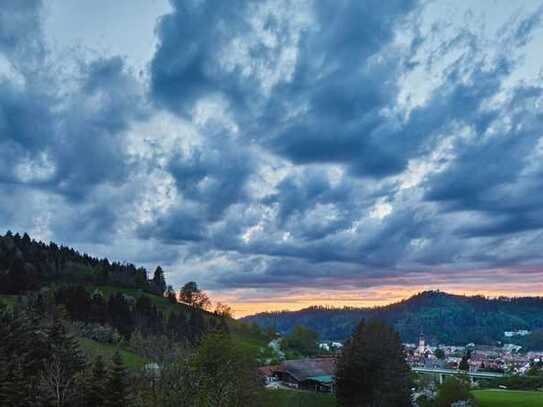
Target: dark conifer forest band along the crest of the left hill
point(27, 265)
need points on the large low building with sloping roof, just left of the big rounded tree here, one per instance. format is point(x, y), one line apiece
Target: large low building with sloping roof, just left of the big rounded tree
point(308, 374)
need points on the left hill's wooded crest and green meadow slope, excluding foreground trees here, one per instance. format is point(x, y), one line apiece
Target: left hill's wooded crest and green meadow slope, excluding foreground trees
point(101, 301)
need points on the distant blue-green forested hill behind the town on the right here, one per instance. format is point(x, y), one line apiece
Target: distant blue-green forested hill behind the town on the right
point(444, 318)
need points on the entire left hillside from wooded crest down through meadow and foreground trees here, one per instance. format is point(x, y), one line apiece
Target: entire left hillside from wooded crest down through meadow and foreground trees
point(80, 331)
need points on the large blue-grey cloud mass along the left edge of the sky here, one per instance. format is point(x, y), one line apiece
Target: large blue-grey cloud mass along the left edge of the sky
point(61, 135)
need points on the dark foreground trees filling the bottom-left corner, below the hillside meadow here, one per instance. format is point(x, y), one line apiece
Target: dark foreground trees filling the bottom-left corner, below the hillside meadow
point(41, 364)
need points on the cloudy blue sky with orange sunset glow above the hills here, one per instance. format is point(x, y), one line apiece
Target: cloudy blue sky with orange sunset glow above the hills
point(282, 153)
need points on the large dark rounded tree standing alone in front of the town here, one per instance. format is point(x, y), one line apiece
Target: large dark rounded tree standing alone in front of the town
point(372, 371)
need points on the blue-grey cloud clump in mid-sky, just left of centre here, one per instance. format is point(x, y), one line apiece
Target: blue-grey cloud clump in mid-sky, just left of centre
point(211, 178)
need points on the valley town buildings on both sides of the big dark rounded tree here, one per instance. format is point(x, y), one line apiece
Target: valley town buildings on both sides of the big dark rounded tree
point(434, 362)
